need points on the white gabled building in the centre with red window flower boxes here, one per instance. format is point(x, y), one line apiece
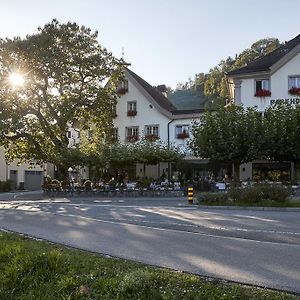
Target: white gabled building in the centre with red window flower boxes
point(142, 110)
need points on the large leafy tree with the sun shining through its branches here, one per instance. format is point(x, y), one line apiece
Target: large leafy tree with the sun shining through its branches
point(50, 81)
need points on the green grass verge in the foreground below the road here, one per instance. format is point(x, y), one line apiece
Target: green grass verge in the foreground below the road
point(31, 269)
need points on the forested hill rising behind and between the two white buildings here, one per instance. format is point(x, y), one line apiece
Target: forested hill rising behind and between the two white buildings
point(210, 90)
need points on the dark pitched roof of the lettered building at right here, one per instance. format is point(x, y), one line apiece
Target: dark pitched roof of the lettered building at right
point(266, 62)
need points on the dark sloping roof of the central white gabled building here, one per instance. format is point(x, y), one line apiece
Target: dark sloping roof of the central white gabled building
point(153, 92)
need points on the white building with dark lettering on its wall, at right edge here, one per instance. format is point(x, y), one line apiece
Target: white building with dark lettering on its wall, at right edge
point(263, 82)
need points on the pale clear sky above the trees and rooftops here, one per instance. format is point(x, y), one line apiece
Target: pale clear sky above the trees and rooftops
point(166, 41)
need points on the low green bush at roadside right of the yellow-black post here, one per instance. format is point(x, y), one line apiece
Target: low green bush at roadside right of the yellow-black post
point(259, 192)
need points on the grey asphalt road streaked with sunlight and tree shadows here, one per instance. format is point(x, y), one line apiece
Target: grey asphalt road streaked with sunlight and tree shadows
point(252, 247)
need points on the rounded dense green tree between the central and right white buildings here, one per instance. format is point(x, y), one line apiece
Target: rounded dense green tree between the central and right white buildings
point(228, 135)
